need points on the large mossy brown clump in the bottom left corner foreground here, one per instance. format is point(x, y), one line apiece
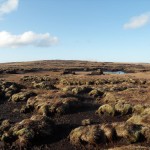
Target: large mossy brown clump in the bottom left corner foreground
point(29, 130)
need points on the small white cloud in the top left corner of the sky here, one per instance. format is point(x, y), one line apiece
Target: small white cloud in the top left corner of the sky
point(8, 6)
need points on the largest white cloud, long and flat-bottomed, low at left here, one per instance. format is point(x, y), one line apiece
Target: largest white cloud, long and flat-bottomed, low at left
point(29, 38)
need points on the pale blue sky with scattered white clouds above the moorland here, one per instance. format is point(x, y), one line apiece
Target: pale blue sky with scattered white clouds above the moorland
point(95, 30)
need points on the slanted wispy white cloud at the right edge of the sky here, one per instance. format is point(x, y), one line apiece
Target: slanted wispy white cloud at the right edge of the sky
point(137, 21)
